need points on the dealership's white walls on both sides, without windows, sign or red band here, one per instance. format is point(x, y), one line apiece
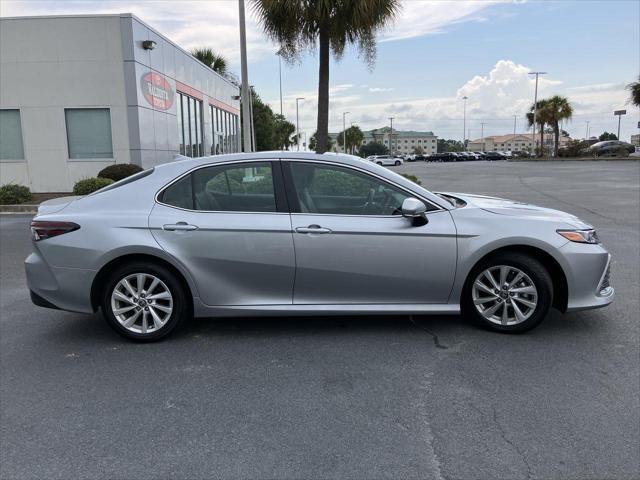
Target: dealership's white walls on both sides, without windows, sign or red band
point(48, 64)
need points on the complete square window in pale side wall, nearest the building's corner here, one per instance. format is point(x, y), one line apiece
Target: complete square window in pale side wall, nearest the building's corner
point(88, 133)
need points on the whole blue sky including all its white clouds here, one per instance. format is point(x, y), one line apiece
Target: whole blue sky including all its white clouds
point(435, 53)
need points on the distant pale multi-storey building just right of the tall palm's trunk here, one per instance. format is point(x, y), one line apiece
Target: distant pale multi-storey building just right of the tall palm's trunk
point(400, 141)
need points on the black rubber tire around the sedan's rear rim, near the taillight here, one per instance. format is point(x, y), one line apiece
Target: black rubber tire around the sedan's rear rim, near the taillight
point(182, 302)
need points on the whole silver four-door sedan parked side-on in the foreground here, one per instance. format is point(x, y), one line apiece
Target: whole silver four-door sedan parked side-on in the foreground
point(285, 233)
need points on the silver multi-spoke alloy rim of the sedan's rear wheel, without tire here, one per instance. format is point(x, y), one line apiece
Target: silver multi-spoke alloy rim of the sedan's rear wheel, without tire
point(141, 303)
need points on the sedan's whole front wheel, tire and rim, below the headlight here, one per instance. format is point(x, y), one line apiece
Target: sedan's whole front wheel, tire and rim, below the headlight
point(508, 292)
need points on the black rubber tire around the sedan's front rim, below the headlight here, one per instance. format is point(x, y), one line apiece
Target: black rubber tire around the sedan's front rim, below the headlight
point(531, 267)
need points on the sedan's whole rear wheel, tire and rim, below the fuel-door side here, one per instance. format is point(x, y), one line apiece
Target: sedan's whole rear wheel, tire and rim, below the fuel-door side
point(144, 302)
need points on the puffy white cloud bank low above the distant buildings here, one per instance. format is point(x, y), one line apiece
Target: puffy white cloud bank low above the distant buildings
point(494, 98)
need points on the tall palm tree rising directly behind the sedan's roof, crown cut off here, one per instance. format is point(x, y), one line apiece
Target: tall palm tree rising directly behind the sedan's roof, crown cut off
point(297, 25)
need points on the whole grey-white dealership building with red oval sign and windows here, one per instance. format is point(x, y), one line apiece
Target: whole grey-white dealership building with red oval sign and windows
point(79, 93)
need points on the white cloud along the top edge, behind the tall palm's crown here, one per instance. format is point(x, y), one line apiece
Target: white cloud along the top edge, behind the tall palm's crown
point(215, 22)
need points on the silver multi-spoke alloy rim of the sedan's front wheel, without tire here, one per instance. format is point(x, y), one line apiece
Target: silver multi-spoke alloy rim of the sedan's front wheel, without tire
point(504, 295)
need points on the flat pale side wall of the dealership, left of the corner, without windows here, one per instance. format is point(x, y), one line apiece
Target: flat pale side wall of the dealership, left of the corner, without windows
point(47, 65)
